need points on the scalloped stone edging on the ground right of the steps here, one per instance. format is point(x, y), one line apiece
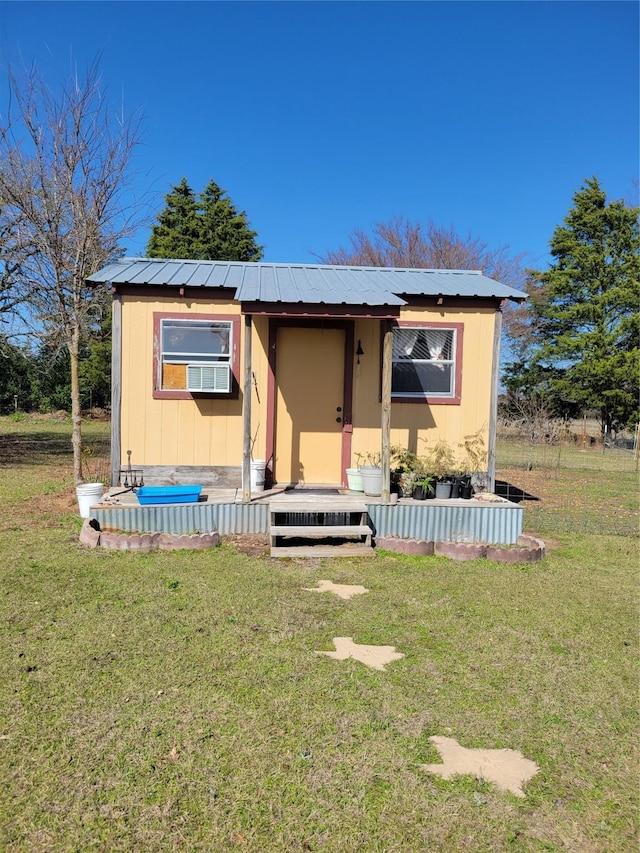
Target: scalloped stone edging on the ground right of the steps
point(527, 550)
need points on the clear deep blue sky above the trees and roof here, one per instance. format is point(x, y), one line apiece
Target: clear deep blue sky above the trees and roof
point(322, 117)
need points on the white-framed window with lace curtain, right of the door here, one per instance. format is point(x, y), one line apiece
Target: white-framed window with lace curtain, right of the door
point(424, 362)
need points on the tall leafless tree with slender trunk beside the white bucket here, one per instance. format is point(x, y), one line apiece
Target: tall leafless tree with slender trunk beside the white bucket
point(65, 207)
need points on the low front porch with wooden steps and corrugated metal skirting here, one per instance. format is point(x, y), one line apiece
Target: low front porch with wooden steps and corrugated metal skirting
point(318, 522)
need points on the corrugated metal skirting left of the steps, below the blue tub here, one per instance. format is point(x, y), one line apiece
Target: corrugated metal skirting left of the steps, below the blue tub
point(186, 518)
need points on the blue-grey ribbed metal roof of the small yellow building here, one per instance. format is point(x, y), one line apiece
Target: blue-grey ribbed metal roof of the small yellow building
point(304, 283)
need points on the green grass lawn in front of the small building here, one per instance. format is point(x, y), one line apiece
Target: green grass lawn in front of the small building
point(173, 700)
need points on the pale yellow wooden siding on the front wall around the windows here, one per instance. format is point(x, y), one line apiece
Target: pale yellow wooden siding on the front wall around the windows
point(218, 439)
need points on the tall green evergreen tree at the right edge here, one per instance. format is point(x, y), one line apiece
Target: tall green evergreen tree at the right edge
point(585, 318)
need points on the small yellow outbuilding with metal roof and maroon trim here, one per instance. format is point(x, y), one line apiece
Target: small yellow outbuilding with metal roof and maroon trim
point(308, 367)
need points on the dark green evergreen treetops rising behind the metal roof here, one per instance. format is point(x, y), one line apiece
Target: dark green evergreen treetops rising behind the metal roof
point(207, 227)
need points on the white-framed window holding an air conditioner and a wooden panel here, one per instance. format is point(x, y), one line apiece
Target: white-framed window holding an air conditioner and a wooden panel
point(196, 355)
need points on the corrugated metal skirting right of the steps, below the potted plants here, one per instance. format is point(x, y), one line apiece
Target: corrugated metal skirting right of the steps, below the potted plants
point(498, 524)
